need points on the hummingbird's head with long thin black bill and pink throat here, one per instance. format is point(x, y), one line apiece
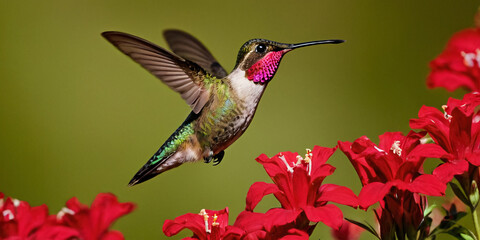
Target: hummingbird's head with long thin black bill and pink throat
point(260, 58)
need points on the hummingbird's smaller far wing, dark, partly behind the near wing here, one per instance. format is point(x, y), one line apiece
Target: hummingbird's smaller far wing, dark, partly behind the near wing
point(188, 47)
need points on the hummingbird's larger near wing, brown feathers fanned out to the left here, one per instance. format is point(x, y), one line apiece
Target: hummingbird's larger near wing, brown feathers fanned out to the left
point(183, 76)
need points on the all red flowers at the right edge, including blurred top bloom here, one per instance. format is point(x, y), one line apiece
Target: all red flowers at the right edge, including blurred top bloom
point(392, 172)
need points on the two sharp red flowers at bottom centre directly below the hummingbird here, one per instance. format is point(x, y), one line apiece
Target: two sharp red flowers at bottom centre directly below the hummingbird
point(302, 196)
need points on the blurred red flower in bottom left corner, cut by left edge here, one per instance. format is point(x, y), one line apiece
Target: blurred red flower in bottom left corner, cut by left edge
point(20, 221)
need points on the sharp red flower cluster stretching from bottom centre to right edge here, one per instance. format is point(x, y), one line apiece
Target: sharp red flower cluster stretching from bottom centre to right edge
point(391, 174)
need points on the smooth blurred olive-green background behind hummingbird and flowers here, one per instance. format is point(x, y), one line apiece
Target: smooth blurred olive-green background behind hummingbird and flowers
point(78, 118)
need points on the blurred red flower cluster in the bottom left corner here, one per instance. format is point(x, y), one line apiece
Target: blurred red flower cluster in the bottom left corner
point(75, 221)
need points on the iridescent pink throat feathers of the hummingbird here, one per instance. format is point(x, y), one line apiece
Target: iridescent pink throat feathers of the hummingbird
point(264, 70)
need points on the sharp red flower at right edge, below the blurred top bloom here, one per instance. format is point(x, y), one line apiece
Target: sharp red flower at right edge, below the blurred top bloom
point(457, 131)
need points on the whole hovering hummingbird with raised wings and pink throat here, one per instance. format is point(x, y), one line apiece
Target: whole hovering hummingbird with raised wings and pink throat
point(222, 105)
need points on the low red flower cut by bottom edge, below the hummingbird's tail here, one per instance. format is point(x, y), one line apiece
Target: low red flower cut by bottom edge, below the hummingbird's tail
point(207, 225)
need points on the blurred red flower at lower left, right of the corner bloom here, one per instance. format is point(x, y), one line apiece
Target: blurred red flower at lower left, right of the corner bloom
point(79, 221)
